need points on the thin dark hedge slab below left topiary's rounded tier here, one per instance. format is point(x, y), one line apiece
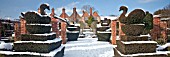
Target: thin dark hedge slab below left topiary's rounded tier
point(28, 37)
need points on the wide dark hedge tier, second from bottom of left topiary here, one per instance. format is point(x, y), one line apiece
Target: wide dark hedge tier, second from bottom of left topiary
point(36, 47)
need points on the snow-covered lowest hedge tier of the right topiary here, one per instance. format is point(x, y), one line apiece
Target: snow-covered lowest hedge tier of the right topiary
point(117, 53)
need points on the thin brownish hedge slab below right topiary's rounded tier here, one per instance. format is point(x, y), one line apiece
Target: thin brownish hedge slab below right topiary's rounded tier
point(133, 38)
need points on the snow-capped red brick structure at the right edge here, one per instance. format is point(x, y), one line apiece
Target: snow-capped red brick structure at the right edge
point(160, 28)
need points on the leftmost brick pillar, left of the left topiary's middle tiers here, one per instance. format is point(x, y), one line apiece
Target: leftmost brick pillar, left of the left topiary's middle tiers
point(17, 31)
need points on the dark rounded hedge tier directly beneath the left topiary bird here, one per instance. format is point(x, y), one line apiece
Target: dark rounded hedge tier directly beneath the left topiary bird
point(38, 29)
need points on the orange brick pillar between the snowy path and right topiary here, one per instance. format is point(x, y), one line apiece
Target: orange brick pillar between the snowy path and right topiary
point(113, 26)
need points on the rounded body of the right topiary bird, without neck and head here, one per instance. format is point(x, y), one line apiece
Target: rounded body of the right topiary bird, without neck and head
point(135, 17)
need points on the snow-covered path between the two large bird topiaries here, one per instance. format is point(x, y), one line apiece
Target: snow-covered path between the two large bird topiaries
point(88, 47)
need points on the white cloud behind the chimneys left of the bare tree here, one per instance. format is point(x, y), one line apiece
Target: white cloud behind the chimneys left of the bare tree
point(68, 8)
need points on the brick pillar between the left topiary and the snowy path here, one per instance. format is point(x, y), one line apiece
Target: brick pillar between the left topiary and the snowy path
point(63, 32)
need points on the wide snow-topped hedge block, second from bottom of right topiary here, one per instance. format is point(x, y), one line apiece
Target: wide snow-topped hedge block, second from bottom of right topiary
point(134, 47)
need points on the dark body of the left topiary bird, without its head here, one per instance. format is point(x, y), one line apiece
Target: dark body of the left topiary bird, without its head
point(32, 17)
